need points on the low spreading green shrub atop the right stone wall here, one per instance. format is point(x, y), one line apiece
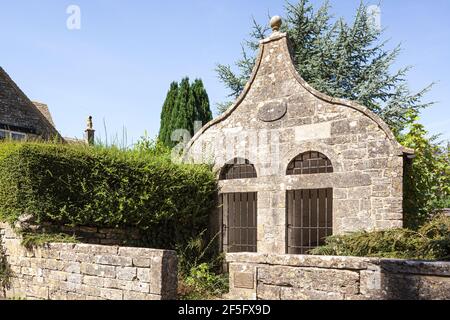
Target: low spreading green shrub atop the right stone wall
point(430, 242)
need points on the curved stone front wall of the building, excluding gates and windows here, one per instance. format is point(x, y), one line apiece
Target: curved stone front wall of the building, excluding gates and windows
point(279, 117)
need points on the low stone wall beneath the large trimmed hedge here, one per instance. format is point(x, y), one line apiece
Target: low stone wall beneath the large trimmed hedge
point(88, 272)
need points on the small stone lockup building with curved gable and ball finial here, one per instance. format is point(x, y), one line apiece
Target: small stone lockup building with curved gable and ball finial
point(296, 165)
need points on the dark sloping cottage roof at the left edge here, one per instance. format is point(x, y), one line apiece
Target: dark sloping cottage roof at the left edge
point(18, 113)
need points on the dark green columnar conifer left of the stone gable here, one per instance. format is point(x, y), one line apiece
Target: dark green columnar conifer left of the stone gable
point(185, 104)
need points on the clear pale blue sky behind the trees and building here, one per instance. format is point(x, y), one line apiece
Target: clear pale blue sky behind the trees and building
point(118, 67)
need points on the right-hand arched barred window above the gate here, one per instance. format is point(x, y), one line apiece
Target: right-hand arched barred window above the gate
point(310, 163)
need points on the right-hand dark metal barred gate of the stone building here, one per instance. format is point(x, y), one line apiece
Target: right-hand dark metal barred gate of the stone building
point(309, 219)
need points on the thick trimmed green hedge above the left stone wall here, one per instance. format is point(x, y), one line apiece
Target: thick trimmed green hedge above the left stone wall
point(105, 187)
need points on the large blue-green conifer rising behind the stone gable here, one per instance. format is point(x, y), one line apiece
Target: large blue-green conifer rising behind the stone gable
point(343, 60)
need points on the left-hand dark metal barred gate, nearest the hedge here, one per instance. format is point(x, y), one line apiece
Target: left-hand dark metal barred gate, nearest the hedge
point(239, 212)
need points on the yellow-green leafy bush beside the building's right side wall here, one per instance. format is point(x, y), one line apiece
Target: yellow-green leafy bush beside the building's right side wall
point(427, 177)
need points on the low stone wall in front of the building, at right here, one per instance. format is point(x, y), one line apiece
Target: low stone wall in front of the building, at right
point(295, 277)
